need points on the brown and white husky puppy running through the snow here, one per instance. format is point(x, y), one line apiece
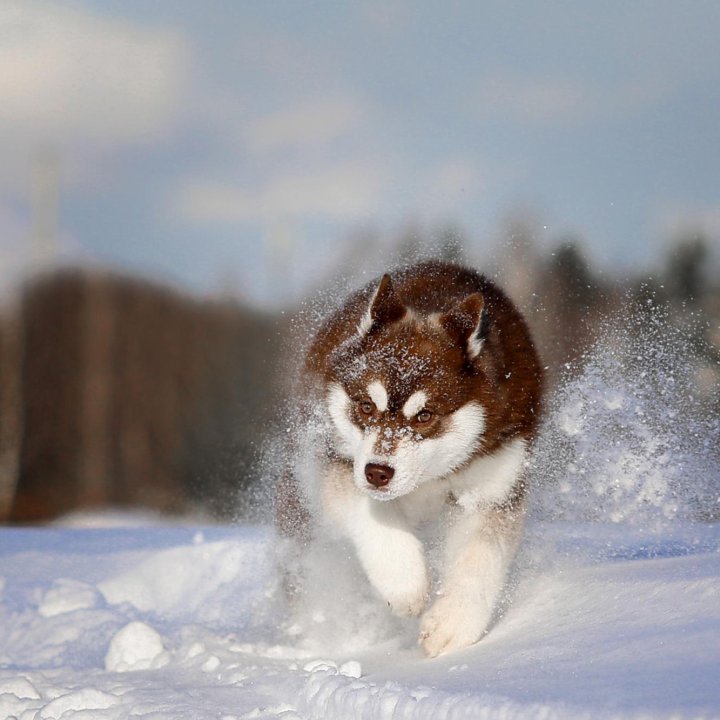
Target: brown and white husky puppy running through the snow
point(425, 389)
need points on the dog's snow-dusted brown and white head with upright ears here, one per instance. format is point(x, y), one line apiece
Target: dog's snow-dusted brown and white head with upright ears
point(405, 398)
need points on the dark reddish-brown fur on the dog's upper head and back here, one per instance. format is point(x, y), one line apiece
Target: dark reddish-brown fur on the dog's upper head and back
point(506, 378)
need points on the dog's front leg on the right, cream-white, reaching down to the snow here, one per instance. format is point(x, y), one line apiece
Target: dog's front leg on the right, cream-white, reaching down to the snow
point(480, 549)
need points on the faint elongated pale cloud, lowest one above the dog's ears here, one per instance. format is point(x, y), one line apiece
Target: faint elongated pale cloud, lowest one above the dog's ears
point(342, 192)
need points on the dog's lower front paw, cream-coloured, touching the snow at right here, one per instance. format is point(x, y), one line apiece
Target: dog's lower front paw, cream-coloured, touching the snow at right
point(451, 624)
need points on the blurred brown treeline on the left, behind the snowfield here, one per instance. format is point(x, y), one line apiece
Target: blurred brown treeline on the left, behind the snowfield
point(116, 392)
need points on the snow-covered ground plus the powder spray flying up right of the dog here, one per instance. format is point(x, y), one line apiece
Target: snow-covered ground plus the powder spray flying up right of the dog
point(613, 610)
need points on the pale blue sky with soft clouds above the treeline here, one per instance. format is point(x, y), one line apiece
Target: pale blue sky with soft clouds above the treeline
point(243, 146)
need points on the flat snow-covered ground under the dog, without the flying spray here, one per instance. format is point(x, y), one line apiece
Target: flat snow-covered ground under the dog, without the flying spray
point(175, 623)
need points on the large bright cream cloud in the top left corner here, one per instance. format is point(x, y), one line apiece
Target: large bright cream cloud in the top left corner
point(67, 75)
